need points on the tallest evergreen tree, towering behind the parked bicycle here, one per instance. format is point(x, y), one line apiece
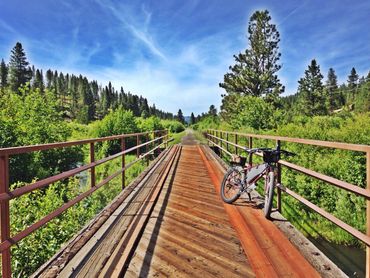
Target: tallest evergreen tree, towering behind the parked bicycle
point(255, 70)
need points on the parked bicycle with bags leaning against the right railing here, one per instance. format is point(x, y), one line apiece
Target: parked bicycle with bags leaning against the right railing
point(242, 177)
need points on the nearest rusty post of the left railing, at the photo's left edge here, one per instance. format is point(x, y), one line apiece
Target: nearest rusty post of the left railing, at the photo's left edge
point(4, 216)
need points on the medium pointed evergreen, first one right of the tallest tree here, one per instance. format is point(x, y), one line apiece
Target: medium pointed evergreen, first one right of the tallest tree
point(310, 91)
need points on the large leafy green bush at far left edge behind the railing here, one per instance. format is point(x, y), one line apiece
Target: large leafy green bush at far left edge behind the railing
point(34, 119)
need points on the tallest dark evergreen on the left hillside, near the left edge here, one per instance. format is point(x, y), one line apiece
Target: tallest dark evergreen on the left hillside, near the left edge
point(19, 73)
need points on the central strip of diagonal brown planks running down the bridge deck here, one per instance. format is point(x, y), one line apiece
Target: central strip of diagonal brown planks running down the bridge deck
point(189, 232)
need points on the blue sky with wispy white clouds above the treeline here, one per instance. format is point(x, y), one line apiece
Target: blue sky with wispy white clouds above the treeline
point(176, 52)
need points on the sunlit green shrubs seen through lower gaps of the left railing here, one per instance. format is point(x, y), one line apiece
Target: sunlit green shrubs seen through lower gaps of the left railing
point(31, 252)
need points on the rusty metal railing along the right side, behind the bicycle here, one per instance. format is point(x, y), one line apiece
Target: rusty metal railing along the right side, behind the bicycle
point(216, 138)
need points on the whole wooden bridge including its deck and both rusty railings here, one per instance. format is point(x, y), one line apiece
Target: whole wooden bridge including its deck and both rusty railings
point(170, 221)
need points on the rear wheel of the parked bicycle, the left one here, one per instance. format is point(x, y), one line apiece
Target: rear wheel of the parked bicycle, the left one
point(235, 172)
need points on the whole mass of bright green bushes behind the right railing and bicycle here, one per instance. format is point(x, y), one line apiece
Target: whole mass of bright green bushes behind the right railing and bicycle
point(344, 165)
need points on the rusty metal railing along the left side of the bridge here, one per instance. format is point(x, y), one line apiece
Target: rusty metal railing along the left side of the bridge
point(160, 138)
